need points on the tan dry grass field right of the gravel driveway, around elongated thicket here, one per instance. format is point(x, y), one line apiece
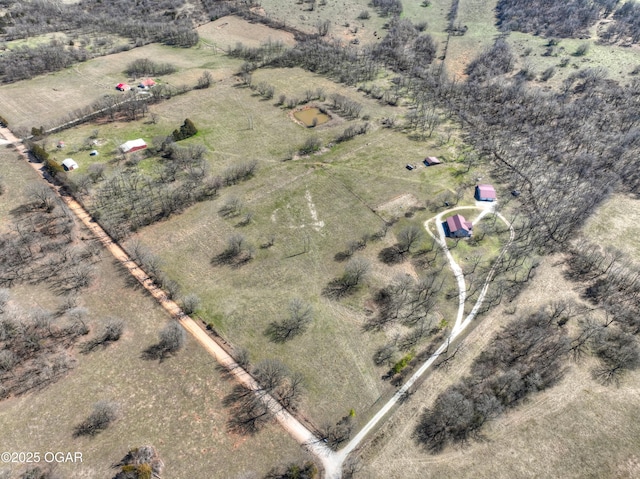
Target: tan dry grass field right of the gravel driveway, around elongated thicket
point(576, 429)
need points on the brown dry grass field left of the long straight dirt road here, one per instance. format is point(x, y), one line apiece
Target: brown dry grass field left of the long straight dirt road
point(175, 405)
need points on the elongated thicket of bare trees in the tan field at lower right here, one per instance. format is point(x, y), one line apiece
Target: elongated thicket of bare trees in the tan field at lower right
point(523, 358)
